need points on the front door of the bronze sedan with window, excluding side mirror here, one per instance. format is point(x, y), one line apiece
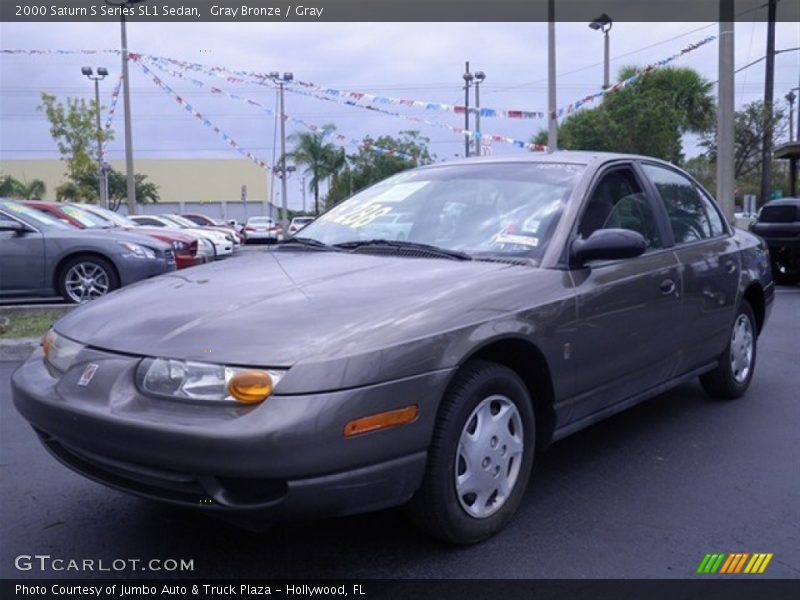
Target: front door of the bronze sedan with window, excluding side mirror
point(628, 310)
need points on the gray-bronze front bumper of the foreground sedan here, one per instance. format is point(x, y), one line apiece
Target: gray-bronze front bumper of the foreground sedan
point(284, 458)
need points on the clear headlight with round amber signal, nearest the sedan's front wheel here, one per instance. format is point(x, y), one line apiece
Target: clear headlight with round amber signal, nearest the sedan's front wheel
point(206, 382)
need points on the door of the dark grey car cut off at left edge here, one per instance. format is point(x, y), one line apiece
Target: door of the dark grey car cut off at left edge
point(22, 260)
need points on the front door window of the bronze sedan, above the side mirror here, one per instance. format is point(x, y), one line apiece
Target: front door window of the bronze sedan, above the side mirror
point(618, 202)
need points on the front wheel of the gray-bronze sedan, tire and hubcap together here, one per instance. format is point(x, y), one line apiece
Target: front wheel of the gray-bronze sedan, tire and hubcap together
point(480, 457)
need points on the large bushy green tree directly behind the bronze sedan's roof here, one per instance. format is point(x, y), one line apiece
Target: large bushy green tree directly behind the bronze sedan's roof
point(648, 116)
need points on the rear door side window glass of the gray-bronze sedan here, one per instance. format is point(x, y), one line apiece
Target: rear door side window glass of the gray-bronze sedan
point(692, 217)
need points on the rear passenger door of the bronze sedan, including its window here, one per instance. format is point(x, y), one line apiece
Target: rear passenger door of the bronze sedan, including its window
point(710, 264)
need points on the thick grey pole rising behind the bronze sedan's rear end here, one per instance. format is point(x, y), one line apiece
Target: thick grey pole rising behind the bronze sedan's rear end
point(726, 181)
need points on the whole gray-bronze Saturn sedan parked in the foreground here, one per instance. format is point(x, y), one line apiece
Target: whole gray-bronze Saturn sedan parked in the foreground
point(343, 373)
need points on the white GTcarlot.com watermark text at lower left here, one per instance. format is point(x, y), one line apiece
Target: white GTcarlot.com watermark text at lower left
point(45, 563)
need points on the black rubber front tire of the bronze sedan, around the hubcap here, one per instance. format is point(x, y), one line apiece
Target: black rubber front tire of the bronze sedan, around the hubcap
point(436, 507)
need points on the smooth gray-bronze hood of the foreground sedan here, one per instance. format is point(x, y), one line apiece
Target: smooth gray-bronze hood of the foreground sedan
point(279, 308)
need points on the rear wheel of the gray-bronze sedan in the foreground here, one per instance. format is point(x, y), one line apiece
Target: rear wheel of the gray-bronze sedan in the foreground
point(732, 376)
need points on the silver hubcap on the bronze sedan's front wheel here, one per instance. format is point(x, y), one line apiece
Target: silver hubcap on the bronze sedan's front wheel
point(489, 456)
